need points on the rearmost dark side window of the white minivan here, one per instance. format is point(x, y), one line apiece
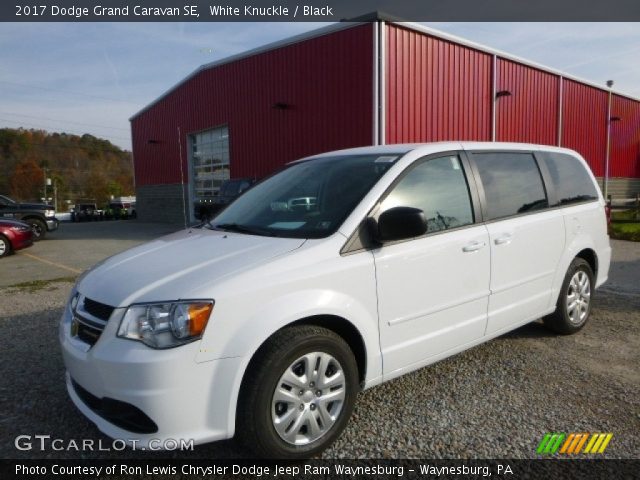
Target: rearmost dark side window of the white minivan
point(570, 178)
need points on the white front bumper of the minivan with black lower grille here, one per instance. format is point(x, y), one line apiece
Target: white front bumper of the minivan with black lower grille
point(138, 394)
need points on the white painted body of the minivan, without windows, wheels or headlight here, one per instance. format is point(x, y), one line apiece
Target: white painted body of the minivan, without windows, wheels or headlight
point(413, 302)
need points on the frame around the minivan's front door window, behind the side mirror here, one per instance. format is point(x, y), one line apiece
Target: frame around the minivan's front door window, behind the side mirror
point(355, 243)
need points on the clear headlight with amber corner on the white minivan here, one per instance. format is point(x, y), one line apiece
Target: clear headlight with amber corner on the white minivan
point(166, 325)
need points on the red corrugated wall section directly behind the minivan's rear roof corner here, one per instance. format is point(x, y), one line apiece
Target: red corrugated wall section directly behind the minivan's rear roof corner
point(584, 122)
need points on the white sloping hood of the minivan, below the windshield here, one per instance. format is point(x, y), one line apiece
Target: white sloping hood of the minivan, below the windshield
point(178, 265)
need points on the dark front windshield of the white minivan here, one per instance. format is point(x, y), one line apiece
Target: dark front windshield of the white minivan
point(309, 199)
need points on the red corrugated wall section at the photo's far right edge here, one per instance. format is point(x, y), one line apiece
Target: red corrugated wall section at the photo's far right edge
point(625, 138)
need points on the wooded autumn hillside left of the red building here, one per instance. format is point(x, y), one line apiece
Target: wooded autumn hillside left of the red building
point(83, 167)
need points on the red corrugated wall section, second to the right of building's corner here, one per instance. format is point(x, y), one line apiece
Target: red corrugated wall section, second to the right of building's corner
point(530, 113)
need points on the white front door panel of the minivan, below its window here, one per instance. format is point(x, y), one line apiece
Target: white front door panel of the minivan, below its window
point(432, 295)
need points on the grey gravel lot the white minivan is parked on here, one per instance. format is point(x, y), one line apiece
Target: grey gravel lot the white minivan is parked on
point(494, 401)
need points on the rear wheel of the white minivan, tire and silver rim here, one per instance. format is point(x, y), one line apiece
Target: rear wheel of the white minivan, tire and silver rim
point(576, 291)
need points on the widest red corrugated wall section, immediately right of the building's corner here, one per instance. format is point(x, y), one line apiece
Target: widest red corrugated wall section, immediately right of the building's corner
point(435, 90)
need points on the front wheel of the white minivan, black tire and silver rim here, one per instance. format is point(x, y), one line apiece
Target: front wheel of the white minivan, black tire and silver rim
point(281, 411)
